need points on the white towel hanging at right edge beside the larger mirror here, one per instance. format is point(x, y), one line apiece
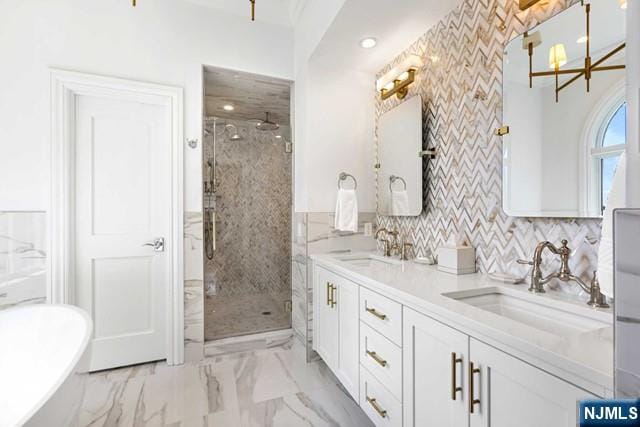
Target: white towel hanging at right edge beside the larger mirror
point(617, 199)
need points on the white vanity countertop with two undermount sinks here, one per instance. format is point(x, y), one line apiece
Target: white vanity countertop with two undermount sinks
point(584, 359)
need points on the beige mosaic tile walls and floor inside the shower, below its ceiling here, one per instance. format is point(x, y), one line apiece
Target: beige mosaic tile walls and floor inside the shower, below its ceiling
point(248, 279)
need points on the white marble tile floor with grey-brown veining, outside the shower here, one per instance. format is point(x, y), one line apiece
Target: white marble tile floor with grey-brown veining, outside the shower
point(270, 387)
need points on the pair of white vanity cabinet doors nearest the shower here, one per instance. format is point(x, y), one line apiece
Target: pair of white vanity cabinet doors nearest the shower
point(336, 324)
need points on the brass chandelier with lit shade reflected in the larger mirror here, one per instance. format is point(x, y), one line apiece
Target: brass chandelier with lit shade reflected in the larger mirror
point(558, 58)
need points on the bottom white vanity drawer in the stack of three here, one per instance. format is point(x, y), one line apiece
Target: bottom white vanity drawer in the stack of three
point(378, 403)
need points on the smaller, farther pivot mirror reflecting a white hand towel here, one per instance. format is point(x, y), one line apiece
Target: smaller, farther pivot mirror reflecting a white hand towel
point(400, 161)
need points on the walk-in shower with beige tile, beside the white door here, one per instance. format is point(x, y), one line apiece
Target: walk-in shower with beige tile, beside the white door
point(247, 185)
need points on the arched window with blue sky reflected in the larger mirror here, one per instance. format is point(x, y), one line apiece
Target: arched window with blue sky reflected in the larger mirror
point(608, 147)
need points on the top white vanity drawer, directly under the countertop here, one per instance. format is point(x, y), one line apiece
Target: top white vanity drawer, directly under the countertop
point(382, 314)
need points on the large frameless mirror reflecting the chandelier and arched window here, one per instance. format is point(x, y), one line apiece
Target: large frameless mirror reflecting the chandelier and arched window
point(560, 156)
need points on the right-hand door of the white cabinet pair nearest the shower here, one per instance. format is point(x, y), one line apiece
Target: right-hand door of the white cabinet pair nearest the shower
point(347, 302)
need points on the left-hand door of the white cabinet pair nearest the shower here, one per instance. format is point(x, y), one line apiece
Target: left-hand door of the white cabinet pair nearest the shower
point(325, 318)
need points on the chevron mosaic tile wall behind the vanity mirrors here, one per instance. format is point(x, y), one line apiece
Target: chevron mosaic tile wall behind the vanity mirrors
point(461, 87)
